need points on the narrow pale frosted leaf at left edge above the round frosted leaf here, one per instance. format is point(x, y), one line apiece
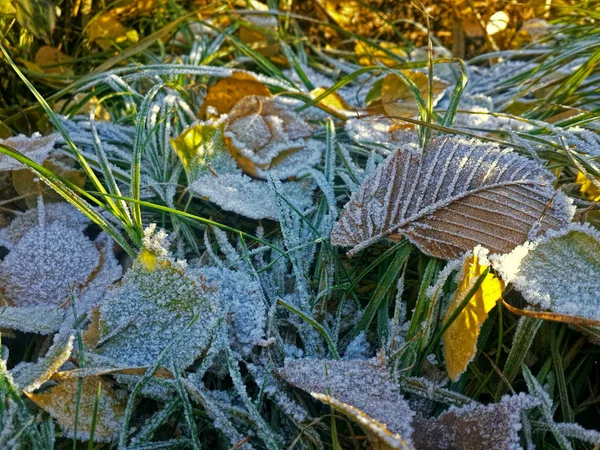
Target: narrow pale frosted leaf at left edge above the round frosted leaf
point(53, 212)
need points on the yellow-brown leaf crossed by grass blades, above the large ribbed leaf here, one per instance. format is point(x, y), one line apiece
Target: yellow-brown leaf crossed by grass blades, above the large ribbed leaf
point(391, 96)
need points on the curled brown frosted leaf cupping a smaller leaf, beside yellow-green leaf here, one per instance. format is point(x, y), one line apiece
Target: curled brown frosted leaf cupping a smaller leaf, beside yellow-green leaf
point(267, 139)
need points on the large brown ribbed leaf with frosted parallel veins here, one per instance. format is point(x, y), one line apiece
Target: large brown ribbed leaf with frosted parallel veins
point(455, 195)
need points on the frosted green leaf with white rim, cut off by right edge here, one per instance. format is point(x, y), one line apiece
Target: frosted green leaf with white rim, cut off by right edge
point(559, 272)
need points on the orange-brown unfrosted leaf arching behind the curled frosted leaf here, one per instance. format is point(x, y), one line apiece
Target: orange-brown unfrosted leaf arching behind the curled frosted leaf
point(225, 93)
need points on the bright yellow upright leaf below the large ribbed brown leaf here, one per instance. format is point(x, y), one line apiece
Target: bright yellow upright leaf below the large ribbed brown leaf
point(460, 339)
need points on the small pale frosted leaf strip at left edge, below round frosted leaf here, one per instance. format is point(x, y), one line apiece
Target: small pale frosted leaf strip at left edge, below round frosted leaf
point(32, 319)
